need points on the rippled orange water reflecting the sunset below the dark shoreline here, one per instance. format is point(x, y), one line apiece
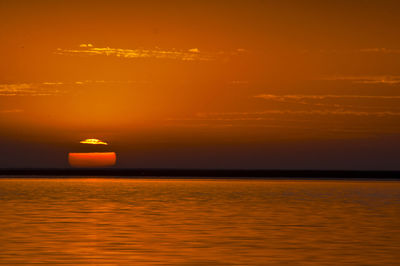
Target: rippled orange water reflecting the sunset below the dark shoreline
point(199, 222)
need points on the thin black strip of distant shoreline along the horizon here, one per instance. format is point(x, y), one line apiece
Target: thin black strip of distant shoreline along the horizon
point(198, 173)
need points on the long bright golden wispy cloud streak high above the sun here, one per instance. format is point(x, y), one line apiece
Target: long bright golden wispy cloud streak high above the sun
point(191, 54)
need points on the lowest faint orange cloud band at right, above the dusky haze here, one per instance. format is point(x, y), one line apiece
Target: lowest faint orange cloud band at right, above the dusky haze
point(297, 123)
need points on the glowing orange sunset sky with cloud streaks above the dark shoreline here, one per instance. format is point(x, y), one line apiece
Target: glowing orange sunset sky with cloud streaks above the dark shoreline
point(202, 84)
